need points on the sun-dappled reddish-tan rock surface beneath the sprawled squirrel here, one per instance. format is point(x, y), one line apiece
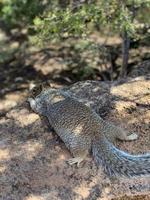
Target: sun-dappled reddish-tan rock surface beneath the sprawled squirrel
point(33, 160)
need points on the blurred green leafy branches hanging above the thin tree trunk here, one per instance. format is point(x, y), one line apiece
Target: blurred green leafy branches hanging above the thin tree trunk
point(118, 16)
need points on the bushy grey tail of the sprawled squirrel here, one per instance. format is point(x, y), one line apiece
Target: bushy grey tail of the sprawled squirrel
point(117, 162)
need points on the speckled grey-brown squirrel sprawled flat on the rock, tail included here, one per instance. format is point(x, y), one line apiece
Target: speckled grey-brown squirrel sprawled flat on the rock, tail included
point(83, 130)
